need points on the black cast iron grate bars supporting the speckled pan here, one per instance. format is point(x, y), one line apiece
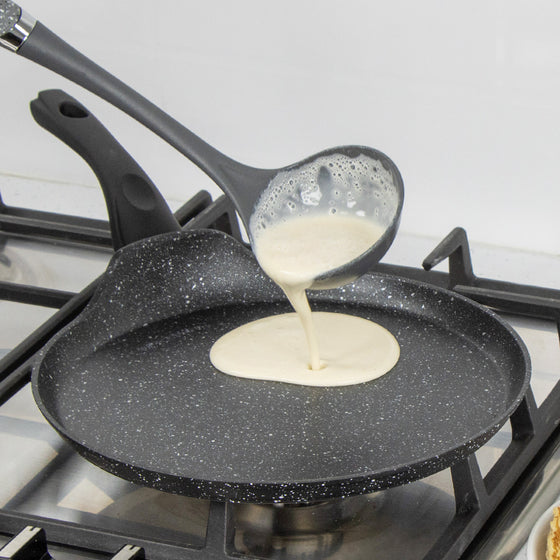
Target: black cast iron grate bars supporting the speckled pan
point(477, 498)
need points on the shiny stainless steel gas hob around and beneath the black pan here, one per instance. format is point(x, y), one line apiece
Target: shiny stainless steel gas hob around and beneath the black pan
point(483, 508)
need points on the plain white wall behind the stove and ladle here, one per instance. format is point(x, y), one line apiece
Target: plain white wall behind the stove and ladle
point(464, 97)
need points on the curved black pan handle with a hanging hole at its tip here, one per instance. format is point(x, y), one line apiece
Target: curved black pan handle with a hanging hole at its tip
point(135, 206)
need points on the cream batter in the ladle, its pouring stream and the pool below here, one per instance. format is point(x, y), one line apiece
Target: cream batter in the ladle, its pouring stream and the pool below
point(293, 253)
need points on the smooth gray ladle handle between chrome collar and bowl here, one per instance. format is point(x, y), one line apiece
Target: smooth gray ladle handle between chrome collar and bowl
point(47, 49)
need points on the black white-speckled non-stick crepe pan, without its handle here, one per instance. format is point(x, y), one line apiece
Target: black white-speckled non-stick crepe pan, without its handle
point(130, 384)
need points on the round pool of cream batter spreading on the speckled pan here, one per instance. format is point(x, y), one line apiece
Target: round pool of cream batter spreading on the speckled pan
point(353, 350)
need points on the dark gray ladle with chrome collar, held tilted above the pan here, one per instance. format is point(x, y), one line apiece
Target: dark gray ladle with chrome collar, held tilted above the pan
point(24, 35)
